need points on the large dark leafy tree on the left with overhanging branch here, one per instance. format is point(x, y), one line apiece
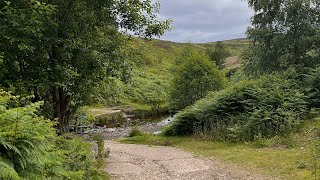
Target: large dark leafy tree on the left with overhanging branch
point(58, 50)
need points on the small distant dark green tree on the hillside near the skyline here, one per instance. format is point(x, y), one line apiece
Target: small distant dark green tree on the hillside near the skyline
point(219, 54)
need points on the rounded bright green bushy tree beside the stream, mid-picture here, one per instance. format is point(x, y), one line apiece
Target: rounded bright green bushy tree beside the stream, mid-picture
point(193, 79)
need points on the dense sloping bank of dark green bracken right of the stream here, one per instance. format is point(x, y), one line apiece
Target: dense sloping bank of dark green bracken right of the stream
point(272, 105)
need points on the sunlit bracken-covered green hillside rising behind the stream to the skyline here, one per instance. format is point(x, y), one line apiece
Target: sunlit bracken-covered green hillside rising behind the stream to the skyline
point(153, 65)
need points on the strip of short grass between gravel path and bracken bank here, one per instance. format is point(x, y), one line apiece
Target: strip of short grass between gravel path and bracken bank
point(274, 159)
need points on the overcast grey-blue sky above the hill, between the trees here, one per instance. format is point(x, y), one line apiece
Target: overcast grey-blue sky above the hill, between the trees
point(206, 20)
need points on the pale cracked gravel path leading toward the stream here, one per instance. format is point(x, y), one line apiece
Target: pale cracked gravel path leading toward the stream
point(142, 162)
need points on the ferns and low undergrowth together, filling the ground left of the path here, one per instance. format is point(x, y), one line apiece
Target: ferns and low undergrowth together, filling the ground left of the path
point(30, 148)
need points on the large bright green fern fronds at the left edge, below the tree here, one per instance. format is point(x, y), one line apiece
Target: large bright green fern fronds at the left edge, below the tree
point(25, 138)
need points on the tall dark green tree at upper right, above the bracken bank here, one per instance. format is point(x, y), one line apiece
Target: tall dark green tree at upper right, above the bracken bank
point(285, 33)
